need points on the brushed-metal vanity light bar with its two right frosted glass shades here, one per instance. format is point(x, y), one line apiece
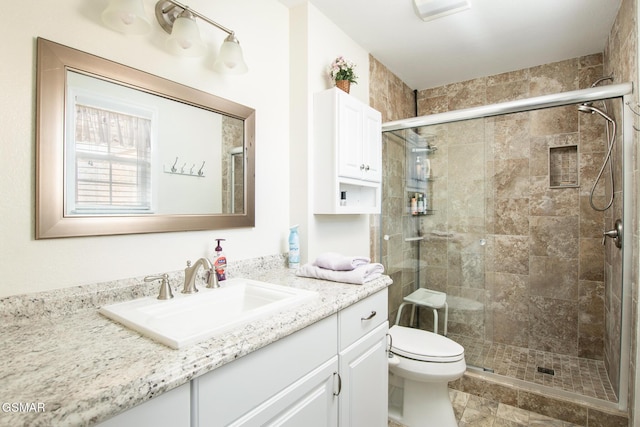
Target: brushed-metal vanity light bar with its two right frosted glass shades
point(179, 21)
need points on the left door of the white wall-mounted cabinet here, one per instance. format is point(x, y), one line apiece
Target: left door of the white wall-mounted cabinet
point(350, 134)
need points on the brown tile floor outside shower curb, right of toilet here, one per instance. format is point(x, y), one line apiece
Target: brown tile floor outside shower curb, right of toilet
point(474, 411)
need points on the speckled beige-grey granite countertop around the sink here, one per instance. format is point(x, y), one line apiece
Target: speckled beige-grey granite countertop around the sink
point(62, 356)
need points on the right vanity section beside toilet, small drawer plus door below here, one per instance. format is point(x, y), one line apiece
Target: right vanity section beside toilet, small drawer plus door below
point(363, 362)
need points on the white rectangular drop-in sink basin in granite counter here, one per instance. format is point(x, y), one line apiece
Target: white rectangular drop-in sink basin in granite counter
point(188, 319)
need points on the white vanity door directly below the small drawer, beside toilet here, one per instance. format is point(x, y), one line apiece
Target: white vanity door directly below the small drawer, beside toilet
point(363, 369)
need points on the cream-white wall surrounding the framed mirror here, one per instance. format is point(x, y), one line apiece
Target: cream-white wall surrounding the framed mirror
point(27, 265)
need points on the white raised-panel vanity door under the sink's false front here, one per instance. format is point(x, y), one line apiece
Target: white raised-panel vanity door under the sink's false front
point(309, 402)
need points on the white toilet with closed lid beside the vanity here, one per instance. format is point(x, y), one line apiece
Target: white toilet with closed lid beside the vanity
point(420, 370)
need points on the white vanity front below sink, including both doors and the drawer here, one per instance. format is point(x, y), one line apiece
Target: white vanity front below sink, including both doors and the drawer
point(331, 373)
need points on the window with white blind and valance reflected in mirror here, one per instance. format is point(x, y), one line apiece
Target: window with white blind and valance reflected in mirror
point(112, 161)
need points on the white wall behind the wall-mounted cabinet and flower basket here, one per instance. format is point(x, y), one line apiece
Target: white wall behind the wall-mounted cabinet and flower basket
point(315, 43)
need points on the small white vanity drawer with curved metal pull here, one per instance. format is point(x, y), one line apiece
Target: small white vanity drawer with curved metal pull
point(362, 317)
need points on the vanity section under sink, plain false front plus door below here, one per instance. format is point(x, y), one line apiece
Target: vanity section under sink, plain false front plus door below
point(291, 382)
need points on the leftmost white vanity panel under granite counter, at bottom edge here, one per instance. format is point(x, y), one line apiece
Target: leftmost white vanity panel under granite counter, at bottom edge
point(168, 409)
